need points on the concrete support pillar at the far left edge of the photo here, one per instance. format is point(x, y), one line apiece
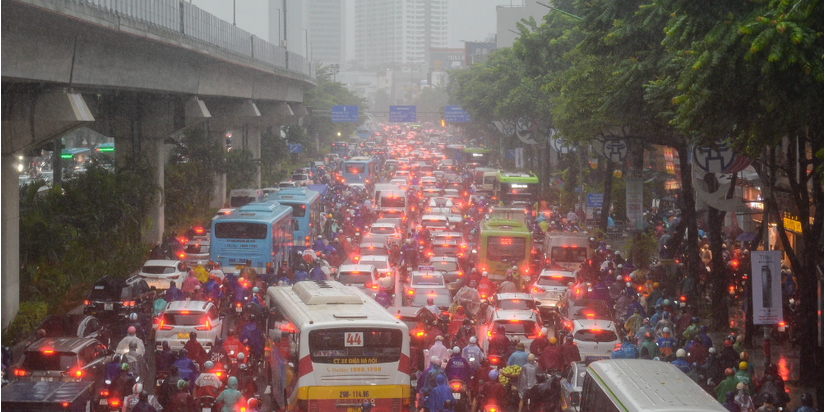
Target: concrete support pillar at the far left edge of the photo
point(10, 241)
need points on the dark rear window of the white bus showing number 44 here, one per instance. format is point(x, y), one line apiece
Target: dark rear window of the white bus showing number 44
point(355, 346)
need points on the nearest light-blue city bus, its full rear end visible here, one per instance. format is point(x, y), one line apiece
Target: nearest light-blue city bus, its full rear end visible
point(259, 233)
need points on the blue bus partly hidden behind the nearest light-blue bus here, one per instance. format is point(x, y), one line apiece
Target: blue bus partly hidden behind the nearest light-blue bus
point(306, 214)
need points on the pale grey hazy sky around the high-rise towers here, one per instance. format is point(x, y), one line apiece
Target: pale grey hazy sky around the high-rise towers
point(471, 20)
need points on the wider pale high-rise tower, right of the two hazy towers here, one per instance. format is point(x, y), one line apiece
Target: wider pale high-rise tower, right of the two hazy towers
point(399, 31)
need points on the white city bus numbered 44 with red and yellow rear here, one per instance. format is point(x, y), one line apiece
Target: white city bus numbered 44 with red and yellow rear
point(331, 347)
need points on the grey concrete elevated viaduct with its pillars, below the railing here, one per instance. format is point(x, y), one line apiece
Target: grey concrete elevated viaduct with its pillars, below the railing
point(131, 83)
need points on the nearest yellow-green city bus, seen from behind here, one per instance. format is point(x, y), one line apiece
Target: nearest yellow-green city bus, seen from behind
point(504, 243)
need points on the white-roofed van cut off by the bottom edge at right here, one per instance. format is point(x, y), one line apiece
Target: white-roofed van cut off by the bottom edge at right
point(642, 386)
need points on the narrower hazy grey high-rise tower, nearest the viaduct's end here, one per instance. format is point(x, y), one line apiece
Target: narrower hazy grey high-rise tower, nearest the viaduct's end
point(327, 30)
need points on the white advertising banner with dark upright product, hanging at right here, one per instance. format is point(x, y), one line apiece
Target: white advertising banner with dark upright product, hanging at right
point(766, 273)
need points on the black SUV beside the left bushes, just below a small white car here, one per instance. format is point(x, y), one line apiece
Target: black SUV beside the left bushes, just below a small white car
point(113, 299)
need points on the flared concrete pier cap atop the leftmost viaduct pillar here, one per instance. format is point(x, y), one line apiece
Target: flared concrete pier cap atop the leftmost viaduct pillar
point(32, 117)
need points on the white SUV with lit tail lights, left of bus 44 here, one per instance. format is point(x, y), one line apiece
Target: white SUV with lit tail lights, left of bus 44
point(180, 318)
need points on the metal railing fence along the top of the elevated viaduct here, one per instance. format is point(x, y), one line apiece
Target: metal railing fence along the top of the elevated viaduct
point(183, 18)
